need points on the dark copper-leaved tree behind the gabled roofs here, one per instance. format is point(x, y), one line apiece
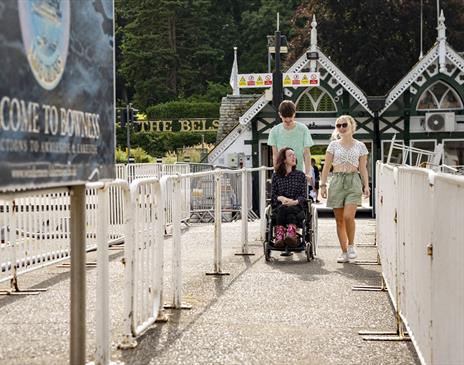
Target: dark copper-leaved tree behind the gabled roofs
point(375, 42)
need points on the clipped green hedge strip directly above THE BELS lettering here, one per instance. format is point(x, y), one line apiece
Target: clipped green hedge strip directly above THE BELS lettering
point(183, 109)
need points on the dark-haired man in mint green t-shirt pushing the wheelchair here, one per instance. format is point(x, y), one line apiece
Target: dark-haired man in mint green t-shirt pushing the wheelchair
point(293, 134)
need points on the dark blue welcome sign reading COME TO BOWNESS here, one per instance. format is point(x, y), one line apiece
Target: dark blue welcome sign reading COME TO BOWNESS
point(56, 92)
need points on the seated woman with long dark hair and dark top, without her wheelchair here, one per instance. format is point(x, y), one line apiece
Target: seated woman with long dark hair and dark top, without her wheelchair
point(288, 200)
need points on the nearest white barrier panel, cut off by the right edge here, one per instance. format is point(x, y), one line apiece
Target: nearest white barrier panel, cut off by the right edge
point(448, 271)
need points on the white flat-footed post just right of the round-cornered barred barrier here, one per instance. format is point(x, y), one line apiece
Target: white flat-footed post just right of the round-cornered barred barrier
point(176, 248)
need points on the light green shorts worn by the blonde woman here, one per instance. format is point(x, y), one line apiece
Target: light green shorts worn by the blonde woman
point(345, 188)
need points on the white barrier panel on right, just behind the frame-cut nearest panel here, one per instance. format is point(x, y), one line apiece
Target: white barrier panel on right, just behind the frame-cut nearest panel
point(415, 224)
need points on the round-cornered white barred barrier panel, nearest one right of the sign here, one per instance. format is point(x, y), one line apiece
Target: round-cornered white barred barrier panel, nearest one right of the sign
point(143, 257)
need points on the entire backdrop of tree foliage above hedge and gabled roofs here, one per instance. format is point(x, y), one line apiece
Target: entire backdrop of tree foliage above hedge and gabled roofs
point(183, 49)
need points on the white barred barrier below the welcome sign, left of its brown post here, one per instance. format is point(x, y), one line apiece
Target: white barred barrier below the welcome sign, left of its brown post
point(35, 231)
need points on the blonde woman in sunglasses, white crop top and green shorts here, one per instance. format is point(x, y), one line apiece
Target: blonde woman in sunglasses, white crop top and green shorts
point(350, 180)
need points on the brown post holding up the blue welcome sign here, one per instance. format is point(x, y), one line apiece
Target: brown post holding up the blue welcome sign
point(78, 287)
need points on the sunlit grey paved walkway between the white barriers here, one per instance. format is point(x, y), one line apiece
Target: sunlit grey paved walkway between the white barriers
point(287, 311)
